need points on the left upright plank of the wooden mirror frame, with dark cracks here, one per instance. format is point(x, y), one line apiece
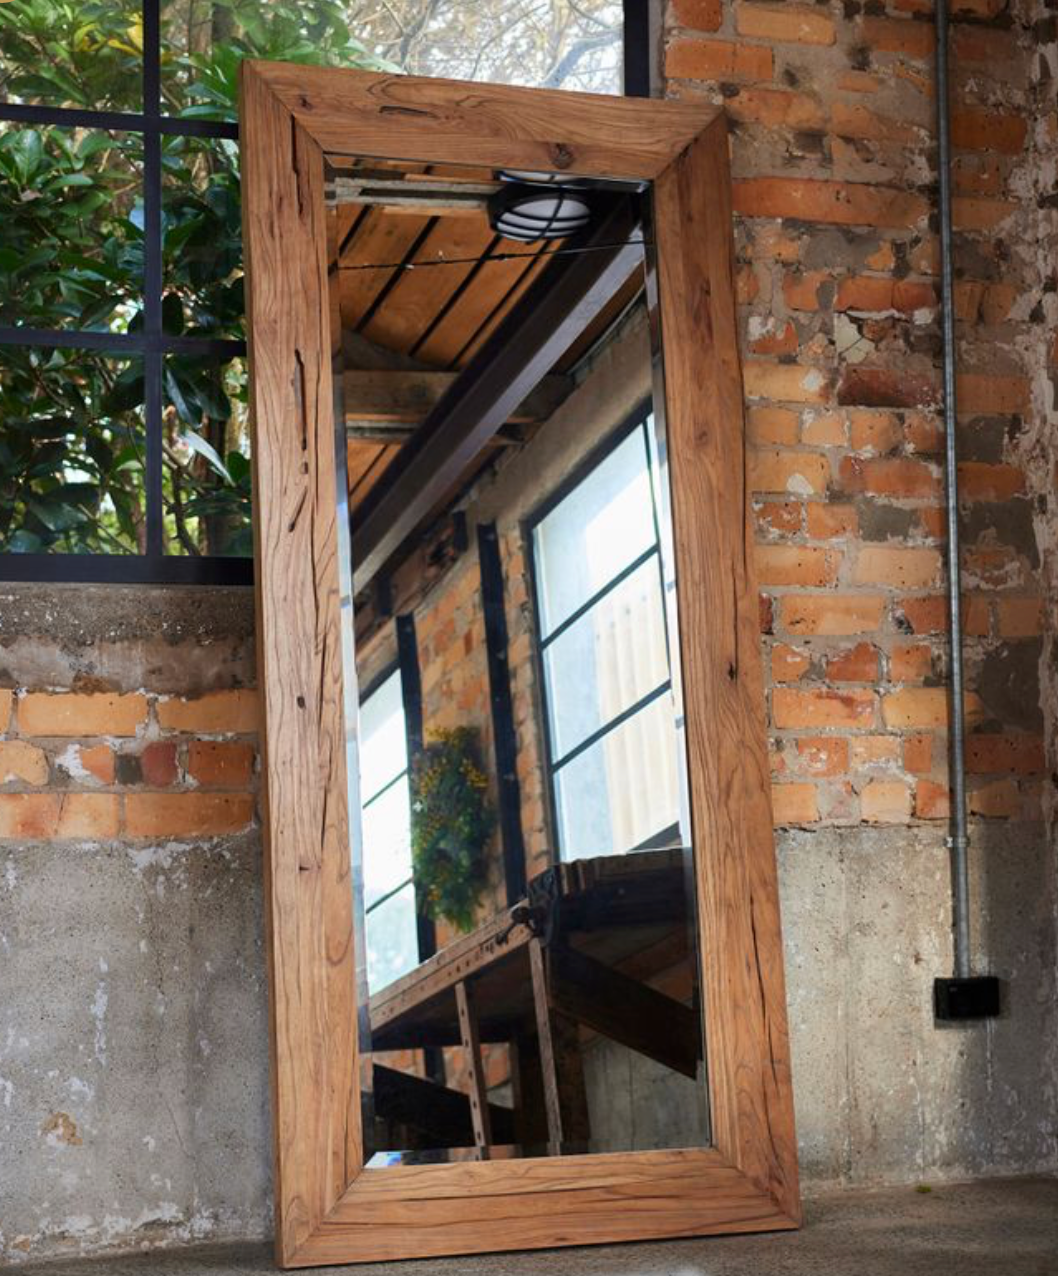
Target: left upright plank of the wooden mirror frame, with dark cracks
point(309, 901)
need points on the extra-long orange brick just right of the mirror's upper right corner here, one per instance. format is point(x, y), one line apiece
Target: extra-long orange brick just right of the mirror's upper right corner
point(839, 204)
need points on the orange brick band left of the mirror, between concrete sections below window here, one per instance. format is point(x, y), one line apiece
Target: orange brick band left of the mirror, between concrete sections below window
point(133, 765)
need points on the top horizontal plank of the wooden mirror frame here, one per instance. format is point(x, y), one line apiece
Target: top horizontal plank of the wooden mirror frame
point(497, 126)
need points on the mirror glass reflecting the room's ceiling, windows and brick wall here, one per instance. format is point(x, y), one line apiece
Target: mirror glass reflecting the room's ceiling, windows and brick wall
point(525, 877)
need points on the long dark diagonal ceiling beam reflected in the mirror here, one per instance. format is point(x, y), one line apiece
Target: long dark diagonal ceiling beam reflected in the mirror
point(518, 357)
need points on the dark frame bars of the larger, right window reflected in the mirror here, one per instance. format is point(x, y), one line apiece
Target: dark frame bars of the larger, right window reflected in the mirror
point(641, 422)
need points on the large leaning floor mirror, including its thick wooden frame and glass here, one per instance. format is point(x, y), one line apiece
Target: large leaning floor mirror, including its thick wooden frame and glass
point(521, 876)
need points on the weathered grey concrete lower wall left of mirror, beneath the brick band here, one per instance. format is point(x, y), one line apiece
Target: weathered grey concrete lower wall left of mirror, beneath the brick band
point(133, 1047)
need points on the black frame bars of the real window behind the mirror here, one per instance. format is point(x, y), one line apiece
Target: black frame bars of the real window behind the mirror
point(151, 343)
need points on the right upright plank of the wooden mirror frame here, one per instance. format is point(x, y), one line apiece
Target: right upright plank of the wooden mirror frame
point(720, 648)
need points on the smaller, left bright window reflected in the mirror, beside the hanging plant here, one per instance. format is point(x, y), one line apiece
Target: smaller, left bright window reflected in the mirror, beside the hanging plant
point(389, 887)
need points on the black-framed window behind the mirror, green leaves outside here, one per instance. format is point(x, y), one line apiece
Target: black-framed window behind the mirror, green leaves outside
point(124, 454)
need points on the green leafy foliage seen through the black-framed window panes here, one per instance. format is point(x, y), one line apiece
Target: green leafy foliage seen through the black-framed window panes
point(72, 257)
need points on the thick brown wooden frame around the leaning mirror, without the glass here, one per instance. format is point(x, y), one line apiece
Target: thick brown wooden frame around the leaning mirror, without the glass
point(329, 1209)
